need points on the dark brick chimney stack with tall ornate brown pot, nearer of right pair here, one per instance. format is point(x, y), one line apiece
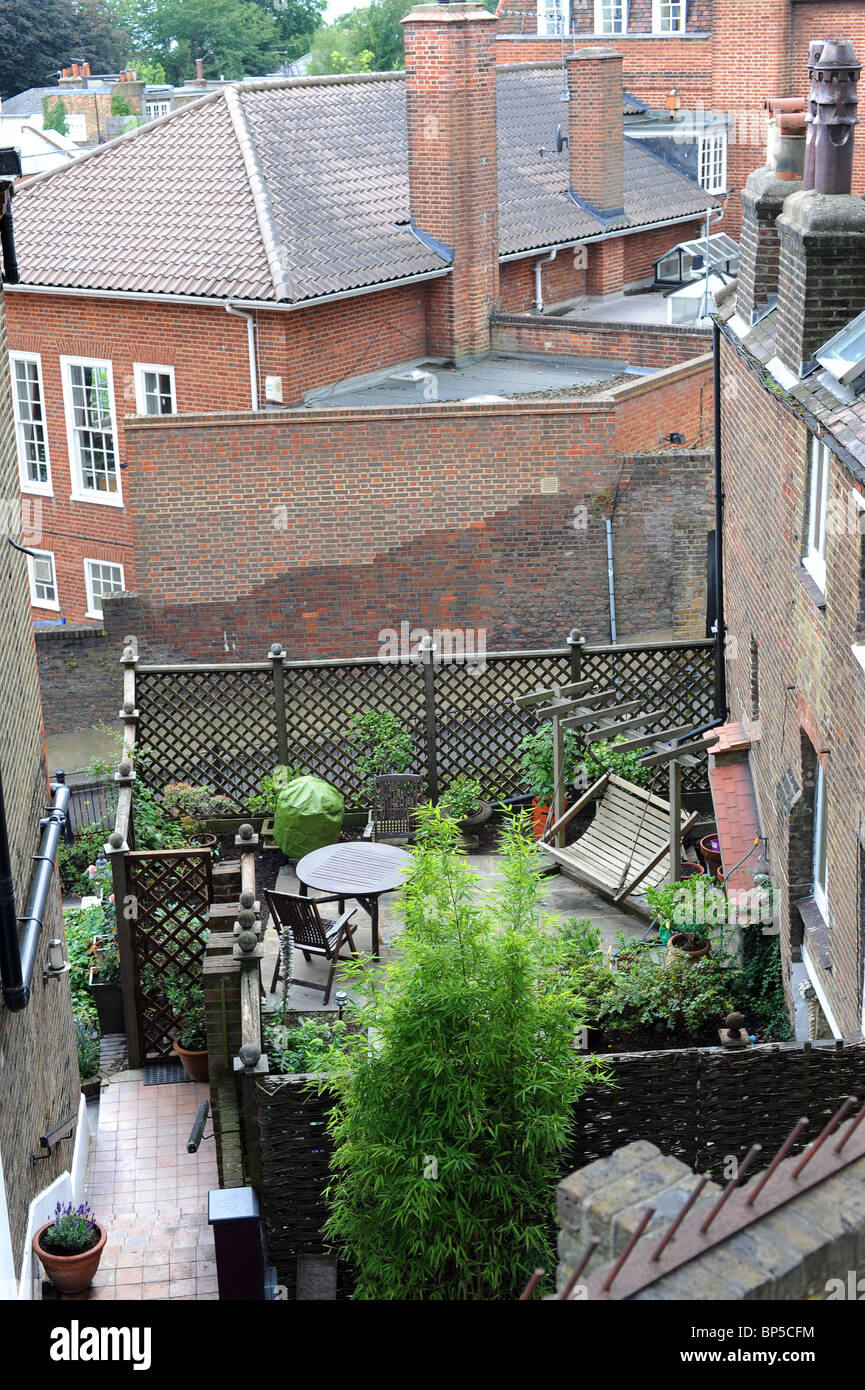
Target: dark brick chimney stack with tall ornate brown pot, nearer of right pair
point(823, 229)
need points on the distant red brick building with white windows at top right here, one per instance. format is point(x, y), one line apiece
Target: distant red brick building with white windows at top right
point(724, 56)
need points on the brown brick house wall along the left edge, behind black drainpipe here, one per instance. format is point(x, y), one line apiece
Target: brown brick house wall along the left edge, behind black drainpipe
point(38, 1063)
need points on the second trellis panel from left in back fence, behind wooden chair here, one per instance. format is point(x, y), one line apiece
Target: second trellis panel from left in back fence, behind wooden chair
point(319, 707)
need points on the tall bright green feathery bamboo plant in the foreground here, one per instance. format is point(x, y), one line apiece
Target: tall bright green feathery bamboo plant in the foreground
point(453, 1124)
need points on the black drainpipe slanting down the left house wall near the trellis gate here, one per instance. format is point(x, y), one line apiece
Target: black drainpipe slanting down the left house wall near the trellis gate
point(19, 960)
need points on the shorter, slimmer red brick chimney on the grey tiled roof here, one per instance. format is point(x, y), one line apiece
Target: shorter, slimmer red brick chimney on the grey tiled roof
point(596, 131)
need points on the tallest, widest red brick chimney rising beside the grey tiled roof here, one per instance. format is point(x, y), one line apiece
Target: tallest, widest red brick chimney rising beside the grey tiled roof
point(453, 166)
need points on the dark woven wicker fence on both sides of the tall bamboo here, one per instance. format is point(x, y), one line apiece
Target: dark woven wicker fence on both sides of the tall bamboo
point(700, 1106)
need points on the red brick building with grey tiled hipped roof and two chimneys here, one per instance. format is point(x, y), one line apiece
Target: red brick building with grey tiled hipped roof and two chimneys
point(273, 241)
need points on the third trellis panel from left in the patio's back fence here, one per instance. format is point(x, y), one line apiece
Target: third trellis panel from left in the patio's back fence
point(479, 728)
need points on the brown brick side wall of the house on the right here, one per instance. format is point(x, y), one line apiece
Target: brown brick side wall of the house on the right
point(811, 683)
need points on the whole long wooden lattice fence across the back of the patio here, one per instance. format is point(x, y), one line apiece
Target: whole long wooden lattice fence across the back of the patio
point(227, 726)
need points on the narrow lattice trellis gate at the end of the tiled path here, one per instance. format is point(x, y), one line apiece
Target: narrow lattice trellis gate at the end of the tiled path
point(173, 892)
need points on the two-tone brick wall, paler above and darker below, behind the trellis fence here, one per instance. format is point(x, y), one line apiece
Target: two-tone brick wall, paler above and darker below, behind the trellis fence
point(432, 515)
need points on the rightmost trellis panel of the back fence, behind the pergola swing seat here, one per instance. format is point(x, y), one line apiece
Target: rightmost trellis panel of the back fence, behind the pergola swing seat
point(678, 679)
